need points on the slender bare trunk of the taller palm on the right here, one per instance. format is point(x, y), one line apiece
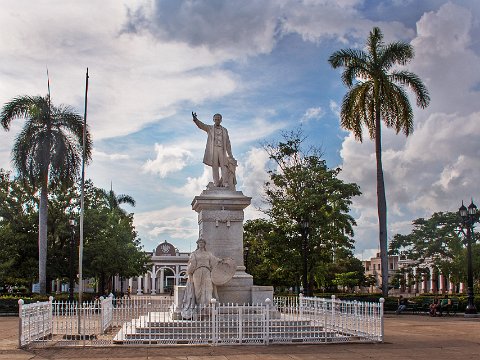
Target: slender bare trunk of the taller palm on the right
point(381, 205)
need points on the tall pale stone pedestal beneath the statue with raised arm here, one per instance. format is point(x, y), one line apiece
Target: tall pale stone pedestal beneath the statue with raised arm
point(220, 220)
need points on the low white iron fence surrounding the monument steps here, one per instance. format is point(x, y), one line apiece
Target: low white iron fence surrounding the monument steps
point(154, 320)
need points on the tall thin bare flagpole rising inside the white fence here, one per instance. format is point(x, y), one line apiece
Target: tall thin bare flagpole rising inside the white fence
point(82, 203)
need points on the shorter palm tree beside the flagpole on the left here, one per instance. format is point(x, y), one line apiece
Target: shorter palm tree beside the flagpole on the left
point(47, 152)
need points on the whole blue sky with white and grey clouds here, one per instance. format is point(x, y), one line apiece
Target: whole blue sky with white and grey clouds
point(263, 65)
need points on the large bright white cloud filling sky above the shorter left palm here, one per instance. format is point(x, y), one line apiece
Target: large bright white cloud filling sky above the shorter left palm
point(148, 78)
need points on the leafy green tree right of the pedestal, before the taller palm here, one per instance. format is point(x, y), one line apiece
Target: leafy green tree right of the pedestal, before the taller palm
point(303, 191)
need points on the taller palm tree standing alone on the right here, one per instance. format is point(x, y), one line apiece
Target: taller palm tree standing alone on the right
point(376, 94)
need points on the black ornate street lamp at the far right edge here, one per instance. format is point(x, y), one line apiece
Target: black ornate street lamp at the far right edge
point(469, 217)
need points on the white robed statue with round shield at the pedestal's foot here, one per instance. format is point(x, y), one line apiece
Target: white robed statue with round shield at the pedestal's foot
point(200, 288)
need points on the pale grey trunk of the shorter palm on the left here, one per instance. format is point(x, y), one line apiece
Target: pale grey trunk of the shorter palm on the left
point(42, 238)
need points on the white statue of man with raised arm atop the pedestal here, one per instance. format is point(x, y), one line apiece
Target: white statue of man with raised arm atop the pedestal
point(218, 151)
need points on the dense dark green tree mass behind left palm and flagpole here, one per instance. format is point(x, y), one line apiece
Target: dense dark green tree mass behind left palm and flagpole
point(111, 244)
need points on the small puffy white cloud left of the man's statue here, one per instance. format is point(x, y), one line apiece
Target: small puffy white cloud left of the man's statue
point(169, 159)
